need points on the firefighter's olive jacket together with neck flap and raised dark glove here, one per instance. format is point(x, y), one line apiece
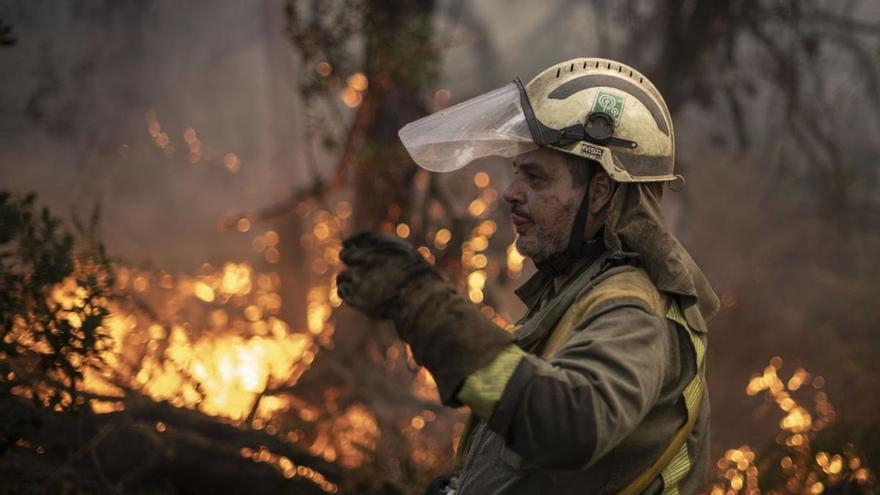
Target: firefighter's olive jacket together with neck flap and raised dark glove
point(599, 381)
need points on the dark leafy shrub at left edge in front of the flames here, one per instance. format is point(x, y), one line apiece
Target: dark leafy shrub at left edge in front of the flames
point(53, 301)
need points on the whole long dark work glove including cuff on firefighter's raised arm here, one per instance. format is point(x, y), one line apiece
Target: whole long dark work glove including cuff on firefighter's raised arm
point(387, 278)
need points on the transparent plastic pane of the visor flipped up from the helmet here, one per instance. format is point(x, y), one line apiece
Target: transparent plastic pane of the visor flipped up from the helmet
point(491, 124)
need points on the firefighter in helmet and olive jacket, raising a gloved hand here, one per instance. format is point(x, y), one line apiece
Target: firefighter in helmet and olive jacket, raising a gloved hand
point(600, 388)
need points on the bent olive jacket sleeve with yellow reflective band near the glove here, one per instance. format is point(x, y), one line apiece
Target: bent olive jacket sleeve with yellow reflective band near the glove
point(568, 412)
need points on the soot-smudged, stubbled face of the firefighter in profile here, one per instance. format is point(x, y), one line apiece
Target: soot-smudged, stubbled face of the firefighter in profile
point(543, 202)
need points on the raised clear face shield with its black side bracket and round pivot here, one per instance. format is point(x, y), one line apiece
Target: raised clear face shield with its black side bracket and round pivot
point(498, 123)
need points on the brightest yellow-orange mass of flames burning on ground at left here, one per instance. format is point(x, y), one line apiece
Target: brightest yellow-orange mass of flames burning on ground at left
point(220, 372)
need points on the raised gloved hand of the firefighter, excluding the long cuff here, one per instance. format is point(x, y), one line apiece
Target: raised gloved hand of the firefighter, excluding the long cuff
point(379, 267)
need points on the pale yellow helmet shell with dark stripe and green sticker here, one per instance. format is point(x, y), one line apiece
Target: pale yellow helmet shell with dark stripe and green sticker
point(605, 111)
